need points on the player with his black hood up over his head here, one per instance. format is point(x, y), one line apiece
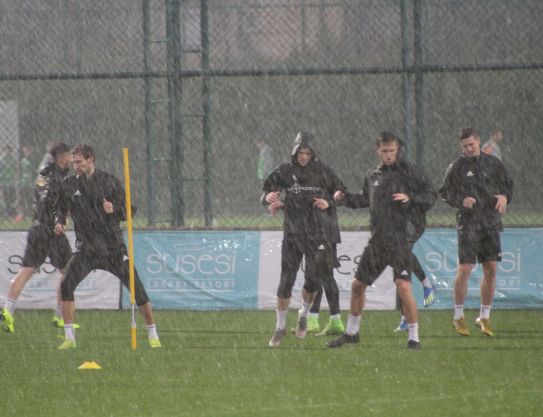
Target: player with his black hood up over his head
point(310, 227)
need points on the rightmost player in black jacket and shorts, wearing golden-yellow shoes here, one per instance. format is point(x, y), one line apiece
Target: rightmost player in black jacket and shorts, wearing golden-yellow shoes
point(478, 186)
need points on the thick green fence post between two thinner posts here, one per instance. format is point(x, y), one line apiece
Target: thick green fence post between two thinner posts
point(175, 134)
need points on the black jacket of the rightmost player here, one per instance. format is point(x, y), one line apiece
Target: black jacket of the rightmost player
point(481, 177)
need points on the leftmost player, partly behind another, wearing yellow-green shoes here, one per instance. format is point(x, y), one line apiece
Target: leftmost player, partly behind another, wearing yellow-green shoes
point(41, 241)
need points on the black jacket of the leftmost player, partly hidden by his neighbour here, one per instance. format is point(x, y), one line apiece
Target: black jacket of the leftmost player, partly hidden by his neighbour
point(46, 193)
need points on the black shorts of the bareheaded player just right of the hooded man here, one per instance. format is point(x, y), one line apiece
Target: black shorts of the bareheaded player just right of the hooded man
point(378, 254)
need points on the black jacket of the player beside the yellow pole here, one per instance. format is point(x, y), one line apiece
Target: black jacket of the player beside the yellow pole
point(97, 232)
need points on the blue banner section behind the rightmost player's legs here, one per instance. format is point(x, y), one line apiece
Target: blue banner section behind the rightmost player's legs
point(519, 282)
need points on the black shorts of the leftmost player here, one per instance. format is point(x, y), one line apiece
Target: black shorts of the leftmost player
point(42, 242)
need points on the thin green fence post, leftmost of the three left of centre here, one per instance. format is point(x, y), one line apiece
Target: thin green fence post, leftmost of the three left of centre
point(149, 157)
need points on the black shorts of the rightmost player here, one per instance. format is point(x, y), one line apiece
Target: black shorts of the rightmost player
point(478, 245)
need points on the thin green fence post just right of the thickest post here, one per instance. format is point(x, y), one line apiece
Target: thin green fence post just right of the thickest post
point(206, 120)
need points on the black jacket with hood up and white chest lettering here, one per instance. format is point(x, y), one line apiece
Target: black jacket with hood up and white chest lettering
point(302, 184)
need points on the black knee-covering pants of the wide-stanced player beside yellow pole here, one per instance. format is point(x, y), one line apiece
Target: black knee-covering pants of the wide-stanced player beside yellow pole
point(116, 263)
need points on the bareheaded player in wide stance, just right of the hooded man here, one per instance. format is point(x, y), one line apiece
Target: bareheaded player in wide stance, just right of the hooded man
point(398, 195)
